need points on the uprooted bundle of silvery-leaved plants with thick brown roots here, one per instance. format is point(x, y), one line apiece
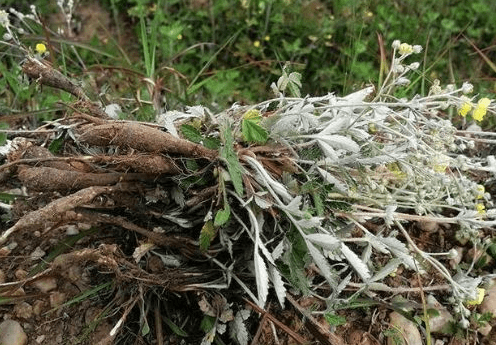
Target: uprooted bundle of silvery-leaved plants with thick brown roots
point(324, 188)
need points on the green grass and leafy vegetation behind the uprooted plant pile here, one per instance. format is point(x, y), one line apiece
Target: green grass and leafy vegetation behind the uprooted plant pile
point(216, 53)
